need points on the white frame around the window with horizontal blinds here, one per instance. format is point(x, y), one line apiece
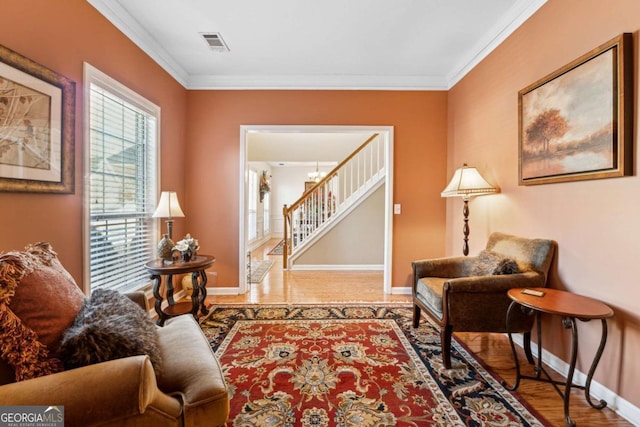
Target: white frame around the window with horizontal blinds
point(92, 75)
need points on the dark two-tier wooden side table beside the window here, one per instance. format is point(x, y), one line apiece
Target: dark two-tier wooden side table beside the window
point(196, 266)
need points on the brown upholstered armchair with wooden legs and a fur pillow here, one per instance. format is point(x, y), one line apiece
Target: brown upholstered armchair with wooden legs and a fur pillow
point(469, 294)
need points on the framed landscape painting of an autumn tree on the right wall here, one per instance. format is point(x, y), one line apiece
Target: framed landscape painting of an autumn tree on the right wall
point(577, 123)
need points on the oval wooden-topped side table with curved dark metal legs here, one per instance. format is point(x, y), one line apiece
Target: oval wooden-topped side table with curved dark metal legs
point(570, 307)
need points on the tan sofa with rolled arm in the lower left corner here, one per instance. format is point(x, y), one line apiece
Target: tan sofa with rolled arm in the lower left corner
point(188, 390)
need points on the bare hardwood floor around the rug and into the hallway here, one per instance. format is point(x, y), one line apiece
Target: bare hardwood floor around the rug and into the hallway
point(493, 349)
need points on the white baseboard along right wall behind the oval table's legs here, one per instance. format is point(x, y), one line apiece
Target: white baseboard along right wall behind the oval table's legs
point(616, 403)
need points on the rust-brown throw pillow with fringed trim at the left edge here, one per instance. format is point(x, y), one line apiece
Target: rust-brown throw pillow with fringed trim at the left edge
point(38, 300)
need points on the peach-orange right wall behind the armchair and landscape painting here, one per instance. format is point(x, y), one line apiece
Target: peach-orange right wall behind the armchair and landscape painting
point(594, 222)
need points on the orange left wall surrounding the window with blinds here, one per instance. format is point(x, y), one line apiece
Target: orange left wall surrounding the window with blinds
point(61, 35)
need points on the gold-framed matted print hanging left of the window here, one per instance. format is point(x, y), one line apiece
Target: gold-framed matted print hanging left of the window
point(37, 120)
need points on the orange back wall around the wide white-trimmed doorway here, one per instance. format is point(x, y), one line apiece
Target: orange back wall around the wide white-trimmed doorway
point(213, 159)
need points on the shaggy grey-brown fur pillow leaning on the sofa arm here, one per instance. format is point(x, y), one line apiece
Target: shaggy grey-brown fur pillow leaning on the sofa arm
point(109, 326)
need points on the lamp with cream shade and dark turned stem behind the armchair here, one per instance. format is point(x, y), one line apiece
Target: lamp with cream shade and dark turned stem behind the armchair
point(467, 182)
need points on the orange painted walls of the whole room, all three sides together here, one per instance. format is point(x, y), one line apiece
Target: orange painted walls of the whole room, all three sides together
point(594, 222)
